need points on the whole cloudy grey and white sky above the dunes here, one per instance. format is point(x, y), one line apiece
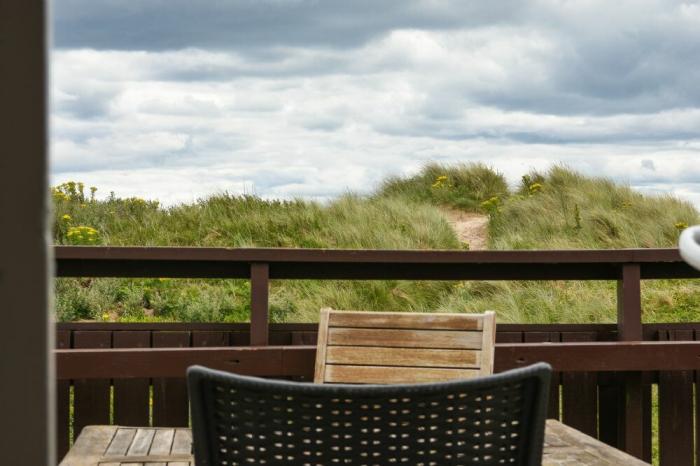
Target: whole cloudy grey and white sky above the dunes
point(175, 99)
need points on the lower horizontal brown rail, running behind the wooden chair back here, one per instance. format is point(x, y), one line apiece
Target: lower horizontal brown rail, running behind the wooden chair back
point(283, 361)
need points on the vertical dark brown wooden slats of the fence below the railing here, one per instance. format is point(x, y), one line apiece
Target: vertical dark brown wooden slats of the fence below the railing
point(588, 401)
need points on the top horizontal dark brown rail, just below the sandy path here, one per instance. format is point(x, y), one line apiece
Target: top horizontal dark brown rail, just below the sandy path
point(325, 264)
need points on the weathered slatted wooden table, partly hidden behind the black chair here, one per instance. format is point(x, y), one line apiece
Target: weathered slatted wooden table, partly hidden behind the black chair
point(160, 446)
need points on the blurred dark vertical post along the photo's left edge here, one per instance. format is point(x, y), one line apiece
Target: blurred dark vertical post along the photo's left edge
point(27, 390)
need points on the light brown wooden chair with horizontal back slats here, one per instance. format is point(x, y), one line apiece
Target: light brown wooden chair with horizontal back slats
point(403, 347)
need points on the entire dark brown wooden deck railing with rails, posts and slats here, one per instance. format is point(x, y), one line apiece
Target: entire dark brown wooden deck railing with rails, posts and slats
point(605, 372)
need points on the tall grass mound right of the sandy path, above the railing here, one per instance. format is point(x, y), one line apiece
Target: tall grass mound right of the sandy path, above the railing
point(568, 210)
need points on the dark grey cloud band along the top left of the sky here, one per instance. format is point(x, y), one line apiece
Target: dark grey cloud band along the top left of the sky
point(242, 24)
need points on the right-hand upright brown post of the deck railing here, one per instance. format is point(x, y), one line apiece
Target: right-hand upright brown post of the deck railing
point(629, 328)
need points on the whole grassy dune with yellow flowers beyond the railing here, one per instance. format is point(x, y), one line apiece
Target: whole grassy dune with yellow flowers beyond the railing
point(557, 209)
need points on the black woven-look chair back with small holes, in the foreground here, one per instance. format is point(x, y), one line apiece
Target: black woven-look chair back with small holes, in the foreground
point(497, 420)
